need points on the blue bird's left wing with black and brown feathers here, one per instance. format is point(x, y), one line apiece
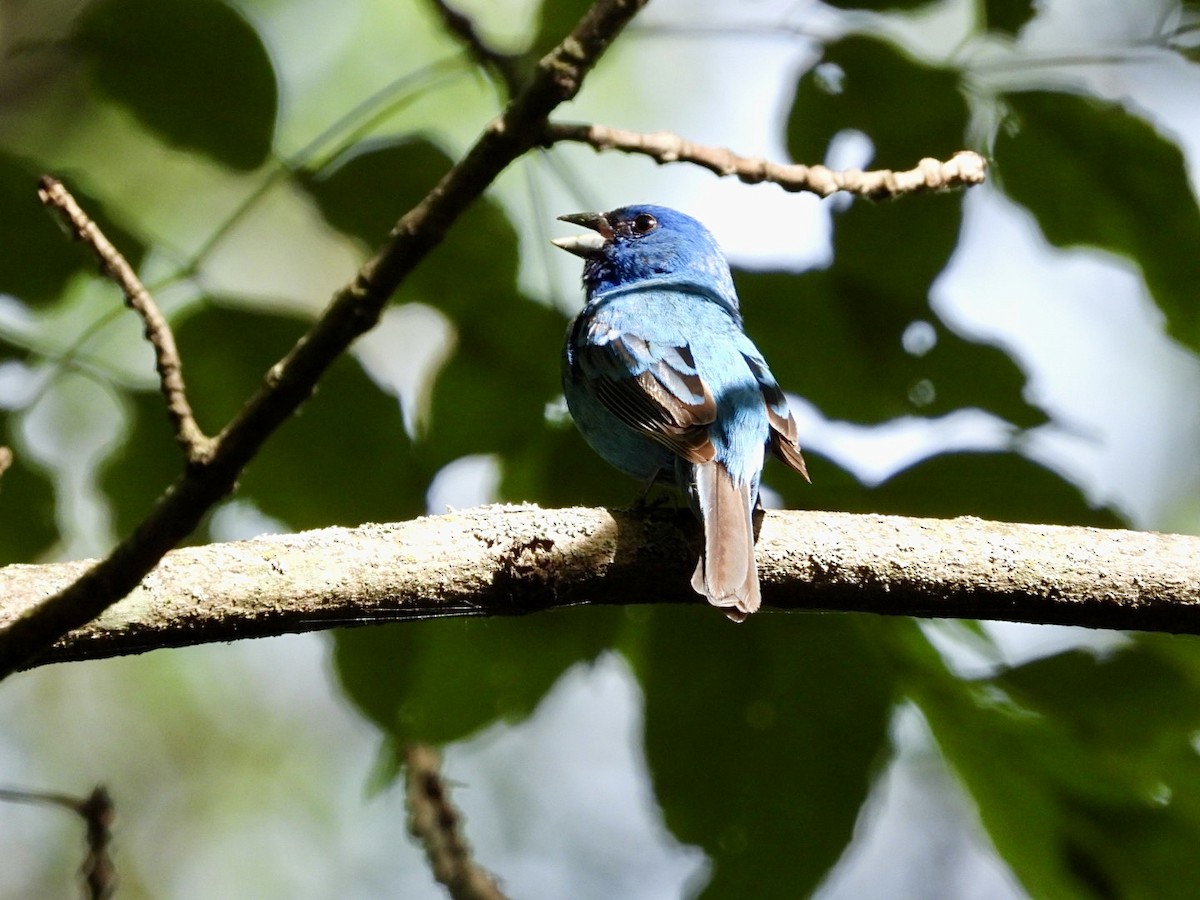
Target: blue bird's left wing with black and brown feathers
point(652, 387)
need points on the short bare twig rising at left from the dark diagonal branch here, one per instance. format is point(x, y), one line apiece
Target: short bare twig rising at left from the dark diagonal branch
point(171, 375)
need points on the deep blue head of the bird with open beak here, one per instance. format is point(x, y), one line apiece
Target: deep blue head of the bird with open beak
point(644, 244)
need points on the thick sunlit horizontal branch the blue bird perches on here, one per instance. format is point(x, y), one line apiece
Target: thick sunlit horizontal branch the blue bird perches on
point(500, 561)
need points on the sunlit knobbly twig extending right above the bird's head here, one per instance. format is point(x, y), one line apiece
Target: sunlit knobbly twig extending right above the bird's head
point(963, 170)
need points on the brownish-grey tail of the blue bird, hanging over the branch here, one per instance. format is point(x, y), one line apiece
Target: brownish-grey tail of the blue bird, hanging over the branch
point(727, 572)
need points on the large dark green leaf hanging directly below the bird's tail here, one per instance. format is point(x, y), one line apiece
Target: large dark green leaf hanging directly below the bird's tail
point(764, 740)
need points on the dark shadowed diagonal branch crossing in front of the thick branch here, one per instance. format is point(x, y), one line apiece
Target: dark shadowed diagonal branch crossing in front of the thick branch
point(355, 310)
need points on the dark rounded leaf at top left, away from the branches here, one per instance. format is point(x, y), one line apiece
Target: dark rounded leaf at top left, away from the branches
point(194, 71)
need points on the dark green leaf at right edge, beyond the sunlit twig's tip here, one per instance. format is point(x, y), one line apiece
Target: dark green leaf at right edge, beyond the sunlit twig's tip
point(1096, 175)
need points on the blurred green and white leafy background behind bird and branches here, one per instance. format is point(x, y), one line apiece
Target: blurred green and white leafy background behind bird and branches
point(1025, 351)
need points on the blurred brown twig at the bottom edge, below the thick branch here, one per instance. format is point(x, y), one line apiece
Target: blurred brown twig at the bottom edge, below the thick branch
point(436, 824)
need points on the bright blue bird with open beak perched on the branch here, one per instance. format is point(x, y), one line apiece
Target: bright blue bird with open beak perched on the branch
point(664, 383)
